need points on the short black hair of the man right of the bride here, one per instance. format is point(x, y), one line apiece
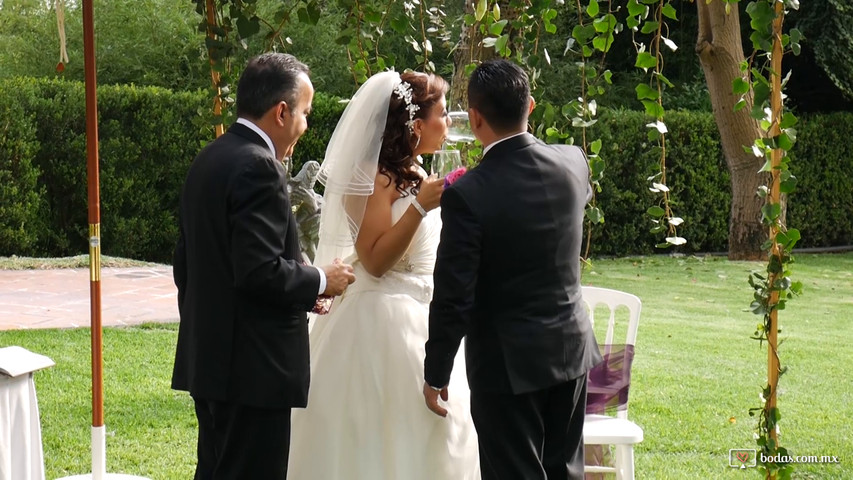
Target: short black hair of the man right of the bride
point(500, 91)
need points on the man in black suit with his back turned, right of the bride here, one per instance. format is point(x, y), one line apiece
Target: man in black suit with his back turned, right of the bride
point(507, 278)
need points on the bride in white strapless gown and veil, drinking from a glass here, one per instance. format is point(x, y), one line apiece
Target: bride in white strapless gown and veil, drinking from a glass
point(365, 417)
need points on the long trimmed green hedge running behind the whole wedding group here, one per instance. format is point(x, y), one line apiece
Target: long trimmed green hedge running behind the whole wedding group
point(149, 136)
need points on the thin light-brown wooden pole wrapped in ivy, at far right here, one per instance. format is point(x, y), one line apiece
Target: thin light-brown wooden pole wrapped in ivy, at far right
point(775, 198)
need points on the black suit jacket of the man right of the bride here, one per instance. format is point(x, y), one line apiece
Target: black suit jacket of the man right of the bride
point(507, 274)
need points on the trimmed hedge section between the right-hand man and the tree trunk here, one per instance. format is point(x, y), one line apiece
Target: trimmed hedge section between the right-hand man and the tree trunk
point(696, 174)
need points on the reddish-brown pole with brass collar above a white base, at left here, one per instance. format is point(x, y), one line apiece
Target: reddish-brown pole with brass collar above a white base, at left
point(93, 180)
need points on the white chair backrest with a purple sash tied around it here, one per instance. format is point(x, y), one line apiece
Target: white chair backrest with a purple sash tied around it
point(609, 381)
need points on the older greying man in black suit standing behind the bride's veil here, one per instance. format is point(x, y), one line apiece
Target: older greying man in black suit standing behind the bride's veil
point(243, 290)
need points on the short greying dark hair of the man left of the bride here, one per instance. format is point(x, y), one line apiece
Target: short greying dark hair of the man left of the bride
point(268, 79)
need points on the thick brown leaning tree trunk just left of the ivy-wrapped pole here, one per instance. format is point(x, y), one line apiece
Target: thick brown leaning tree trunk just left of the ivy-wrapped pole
point(720, 54)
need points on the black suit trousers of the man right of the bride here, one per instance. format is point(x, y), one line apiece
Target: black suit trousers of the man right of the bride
point(531, 436)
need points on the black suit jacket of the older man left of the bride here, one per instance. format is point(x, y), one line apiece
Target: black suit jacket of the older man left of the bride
point(243, 291)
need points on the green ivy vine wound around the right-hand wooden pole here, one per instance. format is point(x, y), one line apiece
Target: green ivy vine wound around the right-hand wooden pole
point(762, 75)
